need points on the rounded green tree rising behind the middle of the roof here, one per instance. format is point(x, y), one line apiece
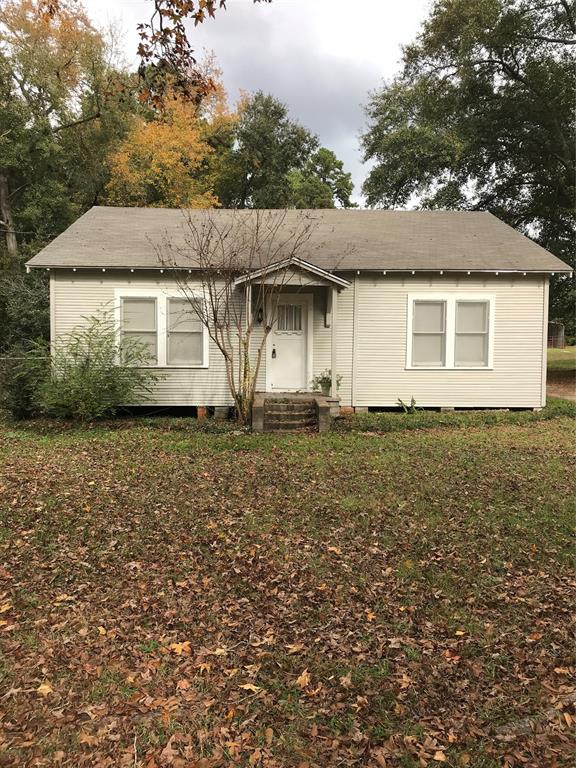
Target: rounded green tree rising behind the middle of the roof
point(274, 162)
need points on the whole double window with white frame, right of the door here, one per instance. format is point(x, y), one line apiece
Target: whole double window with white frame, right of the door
point(450, 331)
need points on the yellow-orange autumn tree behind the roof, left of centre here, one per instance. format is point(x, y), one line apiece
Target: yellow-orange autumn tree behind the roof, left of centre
point(164, 162)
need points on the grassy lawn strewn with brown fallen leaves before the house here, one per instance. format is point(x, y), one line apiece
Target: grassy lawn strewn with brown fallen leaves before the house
point(174, 598)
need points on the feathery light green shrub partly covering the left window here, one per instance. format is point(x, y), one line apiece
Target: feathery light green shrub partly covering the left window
point(91, 377)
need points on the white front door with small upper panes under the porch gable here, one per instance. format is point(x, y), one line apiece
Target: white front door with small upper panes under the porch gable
point(286, 348)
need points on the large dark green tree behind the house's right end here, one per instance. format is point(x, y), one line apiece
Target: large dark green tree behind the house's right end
point(482, 117)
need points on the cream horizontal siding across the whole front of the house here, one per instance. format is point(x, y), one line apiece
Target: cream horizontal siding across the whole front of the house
point(371, 341)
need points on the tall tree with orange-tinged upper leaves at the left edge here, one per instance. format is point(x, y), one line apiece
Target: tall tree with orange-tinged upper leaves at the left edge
point(61, 108)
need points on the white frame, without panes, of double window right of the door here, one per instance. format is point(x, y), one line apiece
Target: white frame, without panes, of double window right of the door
point(450, 299)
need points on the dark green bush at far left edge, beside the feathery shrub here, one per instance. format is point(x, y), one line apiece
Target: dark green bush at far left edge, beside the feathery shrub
point(24, 368)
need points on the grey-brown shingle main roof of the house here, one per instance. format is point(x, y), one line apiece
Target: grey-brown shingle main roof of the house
point(341, 240)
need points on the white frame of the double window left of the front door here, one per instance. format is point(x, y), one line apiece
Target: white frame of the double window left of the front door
point(161, 296)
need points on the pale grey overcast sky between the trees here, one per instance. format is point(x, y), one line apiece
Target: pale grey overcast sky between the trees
point(317, 56)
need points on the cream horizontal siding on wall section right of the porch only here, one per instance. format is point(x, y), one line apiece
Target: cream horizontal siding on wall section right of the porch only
point(381, 377)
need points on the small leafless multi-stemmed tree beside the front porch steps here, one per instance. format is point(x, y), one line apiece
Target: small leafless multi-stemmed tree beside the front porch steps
point(231, 267)
